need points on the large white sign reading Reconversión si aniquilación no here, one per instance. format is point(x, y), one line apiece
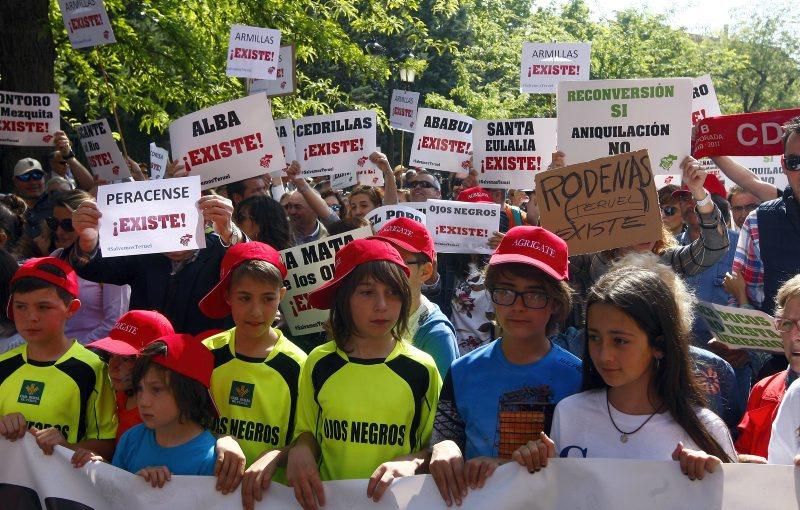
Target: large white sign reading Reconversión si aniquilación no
point(608, 117)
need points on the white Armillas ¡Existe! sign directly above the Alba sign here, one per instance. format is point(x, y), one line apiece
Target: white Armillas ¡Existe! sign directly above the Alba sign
point(253, 52)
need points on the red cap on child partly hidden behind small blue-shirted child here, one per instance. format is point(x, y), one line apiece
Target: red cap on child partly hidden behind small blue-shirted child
point(133, 331)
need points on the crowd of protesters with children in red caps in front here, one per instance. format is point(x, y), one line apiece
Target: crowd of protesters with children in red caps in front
point(449, 364)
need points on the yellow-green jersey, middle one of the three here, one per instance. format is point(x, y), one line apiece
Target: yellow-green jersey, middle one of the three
point(256, 397)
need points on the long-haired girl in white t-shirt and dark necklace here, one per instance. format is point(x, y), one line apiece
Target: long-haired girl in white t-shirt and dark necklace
point(640, 398)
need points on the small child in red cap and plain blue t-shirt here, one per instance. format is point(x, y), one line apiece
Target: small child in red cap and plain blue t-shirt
point(172, 376)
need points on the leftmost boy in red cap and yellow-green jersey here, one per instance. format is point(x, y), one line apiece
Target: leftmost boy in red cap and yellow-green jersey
point(52, 386)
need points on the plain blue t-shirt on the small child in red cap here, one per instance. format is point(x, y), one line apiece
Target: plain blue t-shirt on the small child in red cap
point(137, 449)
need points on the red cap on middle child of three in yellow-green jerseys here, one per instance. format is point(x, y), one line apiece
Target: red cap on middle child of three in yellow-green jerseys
point(213, 304)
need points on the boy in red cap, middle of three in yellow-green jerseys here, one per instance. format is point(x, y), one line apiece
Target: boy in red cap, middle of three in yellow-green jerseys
point(256, 368)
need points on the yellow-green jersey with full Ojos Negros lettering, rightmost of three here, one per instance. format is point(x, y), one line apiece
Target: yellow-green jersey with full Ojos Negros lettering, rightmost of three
point(366, 412)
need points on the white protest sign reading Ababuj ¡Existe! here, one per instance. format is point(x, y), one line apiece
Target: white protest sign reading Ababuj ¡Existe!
point(442, 141)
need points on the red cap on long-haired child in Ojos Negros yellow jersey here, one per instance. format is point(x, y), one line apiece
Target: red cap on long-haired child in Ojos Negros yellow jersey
point(348, 258)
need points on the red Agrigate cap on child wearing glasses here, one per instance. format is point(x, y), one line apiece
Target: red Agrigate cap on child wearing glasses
point(535, 246)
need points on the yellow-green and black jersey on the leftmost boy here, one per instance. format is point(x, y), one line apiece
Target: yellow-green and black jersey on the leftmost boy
point(72, 394)
